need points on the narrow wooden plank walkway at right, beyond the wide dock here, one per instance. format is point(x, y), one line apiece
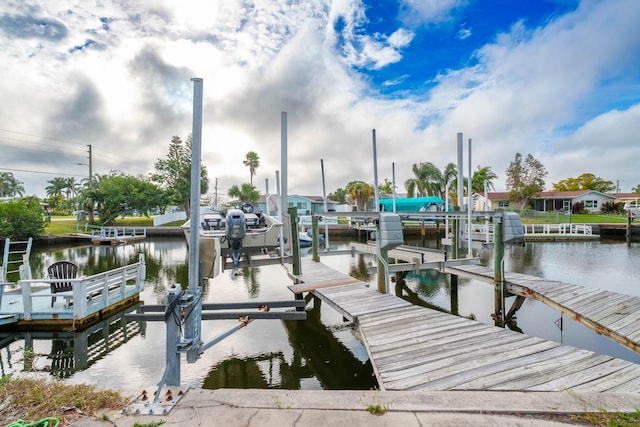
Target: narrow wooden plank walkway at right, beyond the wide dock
point(611, 314)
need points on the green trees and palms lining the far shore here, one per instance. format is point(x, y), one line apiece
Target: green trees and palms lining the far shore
point(118, 194)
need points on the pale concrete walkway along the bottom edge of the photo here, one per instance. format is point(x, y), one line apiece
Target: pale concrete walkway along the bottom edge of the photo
point(281, 408)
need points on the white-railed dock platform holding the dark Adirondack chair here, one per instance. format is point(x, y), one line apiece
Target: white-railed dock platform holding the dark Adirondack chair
point(28, 304)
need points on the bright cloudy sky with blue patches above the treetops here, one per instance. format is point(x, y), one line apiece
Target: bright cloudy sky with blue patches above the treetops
point(559, 79)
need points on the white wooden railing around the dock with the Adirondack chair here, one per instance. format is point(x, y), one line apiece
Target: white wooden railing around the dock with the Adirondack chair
point(106, 288)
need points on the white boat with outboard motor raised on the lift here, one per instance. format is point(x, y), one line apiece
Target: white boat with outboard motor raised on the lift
point(237, 233)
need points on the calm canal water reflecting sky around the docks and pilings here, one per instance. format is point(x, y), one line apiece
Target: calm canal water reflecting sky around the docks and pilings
point(319, 353)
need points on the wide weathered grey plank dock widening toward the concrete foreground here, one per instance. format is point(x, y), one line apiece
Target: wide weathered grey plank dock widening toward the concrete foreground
point(416, 348)
